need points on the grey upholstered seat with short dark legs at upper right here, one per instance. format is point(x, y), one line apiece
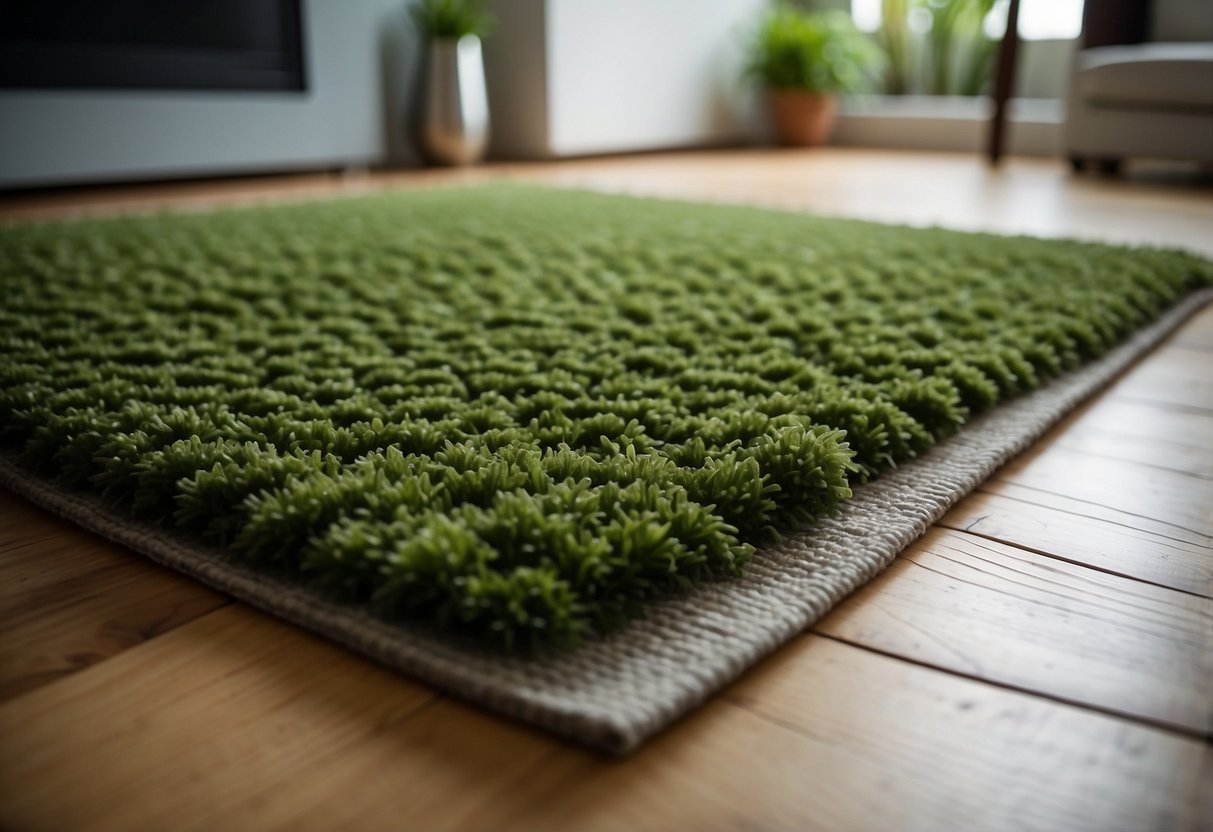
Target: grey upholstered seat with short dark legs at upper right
point(1142, 83)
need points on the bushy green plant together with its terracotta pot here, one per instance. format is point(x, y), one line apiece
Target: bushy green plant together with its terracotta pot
point(805, 60)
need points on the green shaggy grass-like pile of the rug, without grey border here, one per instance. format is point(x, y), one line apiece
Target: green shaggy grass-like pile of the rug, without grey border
point(521, 413)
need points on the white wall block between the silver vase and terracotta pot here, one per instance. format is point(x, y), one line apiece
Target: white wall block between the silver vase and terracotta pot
point(584, 77)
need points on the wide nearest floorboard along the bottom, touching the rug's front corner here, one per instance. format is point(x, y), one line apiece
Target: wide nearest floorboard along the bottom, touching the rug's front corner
point(823, 737)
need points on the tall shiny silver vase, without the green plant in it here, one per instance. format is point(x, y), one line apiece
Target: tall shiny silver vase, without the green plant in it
point(455, 112)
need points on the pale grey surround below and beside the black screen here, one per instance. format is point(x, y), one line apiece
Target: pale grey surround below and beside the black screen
point(361, 60)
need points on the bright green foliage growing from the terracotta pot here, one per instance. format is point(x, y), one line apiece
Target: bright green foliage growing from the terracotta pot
point(813, 52)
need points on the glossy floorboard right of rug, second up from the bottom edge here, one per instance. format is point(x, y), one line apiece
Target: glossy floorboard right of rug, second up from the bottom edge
point(1034, 623)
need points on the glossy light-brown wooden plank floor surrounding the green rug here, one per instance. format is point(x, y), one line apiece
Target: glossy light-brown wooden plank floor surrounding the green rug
point(1041, 660)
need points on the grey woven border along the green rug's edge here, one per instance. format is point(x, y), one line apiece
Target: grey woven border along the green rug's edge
point(617, 692)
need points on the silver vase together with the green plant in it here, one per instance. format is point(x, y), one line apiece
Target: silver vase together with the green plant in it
point(455, 107)
